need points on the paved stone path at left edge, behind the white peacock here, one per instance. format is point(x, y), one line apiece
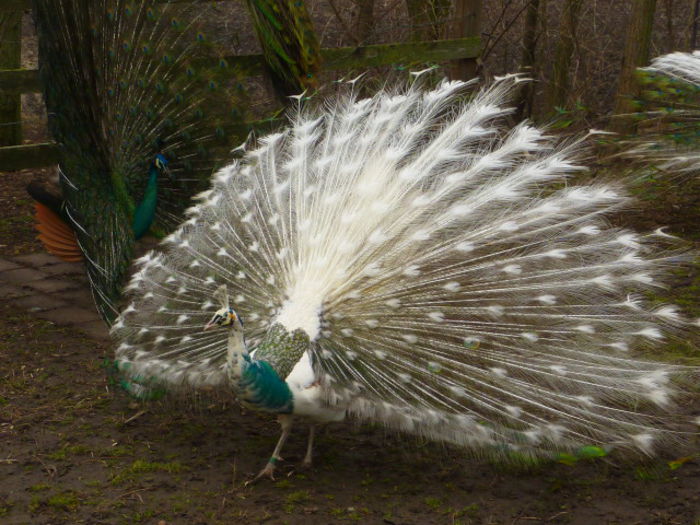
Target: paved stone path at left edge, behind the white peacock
point(53, 290)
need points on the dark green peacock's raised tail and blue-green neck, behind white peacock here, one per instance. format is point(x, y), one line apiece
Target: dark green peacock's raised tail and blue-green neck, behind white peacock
point(133, 94)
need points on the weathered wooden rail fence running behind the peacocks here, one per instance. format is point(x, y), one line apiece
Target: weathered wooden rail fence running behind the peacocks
point(14, 80)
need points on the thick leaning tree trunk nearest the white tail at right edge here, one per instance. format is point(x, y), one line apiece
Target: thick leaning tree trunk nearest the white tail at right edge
point(636, 54)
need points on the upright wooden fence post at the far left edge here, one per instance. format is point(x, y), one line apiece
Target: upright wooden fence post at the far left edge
point(10, 58)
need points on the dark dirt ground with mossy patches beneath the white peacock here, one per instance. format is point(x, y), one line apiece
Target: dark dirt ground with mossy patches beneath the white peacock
point(75, 449)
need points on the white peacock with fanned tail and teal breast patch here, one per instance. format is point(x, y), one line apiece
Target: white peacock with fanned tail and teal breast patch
point(412, 260)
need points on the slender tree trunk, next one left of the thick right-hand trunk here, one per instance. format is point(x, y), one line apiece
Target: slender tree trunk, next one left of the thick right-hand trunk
point(559, 87)
